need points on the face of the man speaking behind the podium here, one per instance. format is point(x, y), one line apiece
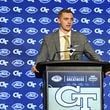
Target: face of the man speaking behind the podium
point(66, 21)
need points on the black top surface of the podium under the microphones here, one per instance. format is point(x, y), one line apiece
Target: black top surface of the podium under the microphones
point(42, 65)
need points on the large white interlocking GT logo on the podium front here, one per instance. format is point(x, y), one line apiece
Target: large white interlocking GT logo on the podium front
point(69, 96)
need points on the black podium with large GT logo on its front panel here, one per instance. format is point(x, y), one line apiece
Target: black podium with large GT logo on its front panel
point(73, 85)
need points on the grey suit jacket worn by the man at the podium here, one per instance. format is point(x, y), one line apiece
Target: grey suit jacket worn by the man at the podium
point(50, 49)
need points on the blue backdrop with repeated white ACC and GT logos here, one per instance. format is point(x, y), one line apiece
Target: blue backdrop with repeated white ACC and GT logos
point(23, 25)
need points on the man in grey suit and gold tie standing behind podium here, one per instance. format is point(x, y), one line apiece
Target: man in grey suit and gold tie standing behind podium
point(53, 45)
